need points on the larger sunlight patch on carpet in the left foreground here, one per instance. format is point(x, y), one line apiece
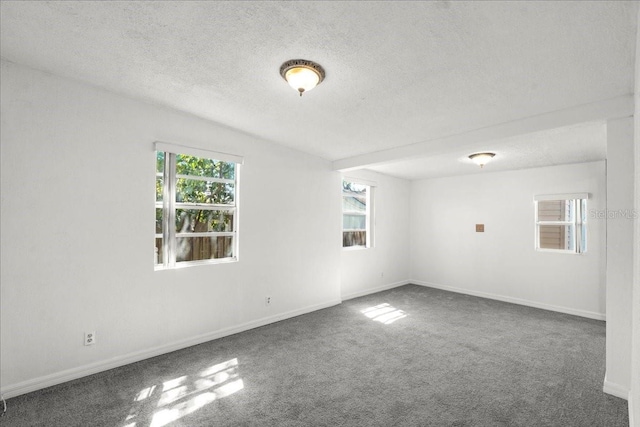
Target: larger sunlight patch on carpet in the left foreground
point(186, 394)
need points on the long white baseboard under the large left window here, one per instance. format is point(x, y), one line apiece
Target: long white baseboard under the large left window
point(28, 386)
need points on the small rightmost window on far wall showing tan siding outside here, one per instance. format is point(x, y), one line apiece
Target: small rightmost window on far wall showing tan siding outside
point(561, 222)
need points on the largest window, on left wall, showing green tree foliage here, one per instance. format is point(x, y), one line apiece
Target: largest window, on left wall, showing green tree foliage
point(196, 206)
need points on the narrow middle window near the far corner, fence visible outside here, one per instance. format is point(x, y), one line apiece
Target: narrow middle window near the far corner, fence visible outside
point(356, 214)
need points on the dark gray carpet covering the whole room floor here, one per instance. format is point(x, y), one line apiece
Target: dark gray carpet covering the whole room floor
point(411, 356)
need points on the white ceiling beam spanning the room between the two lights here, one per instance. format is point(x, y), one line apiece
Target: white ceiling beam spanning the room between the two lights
point(619, 107)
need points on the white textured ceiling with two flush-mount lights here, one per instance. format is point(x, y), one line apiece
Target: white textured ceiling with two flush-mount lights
point(398, 73)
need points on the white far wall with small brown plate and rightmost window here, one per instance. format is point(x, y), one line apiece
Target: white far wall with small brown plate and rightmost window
point(501, 263)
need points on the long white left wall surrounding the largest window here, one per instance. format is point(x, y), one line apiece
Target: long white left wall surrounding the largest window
point(77, 217)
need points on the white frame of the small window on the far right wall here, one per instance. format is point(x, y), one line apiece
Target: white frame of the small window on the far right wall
point(578, 223)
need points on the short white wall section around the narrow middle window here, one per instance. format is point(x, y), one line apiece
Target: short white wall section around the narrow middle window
point(386, 264)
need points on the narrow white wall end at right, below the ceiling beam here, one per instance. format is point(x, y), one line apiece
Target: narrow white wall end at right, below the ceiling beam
point(619, 255)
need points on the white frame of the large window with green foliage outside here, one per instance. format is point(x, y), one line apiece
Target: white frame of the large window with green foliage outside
point(169, 205)
